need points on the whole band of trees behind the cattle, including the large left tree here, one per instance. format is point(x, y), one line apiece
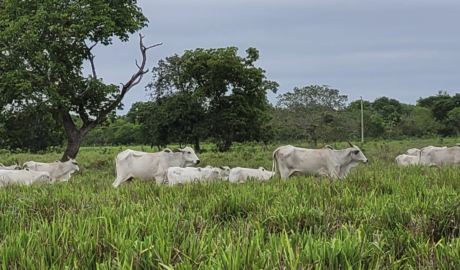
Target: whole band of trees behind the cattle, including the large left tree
point(204, 95)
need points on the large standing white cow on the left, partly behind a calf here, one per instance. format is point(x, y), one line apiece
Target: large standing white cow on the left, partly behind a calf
point(151, 166)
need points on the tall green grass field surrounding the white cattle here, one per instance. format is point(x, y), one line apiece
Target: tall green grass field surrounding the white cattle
point(380, 217)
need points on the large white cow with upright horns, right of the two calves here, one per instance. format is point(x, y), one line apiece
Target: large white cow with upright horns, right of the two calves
point(290, 160)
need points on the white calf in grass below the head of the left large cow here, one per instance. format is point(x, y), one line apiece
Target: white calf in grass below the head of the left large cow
point(179, 175)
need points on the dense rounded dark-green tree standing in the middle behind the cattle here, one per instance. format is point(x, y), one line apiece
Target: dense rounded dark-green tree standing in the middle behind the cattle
point(218, 94)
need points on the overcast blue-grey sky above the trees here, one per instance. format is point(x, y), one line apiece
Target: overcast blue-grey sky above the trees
point(400, 49)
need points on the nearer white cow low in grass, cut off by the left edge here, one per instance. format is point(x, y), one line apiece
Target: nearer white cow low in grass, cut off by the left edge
point(25, 177)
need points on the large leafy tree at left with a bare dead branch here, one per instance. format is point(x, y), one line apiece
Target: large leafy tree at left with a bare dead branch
point(44, 46)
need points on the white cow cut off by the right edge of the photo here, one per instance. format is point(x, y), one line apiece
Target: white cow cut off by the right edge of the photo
point(438, 156)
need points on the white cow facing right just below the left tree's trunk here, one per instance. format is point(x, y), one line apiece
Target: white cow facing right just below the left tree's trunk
point(58, 171)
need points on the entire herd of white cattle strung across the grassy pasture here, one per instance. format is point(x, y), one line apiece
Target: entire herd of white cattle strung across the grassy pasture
point(168, 167)
